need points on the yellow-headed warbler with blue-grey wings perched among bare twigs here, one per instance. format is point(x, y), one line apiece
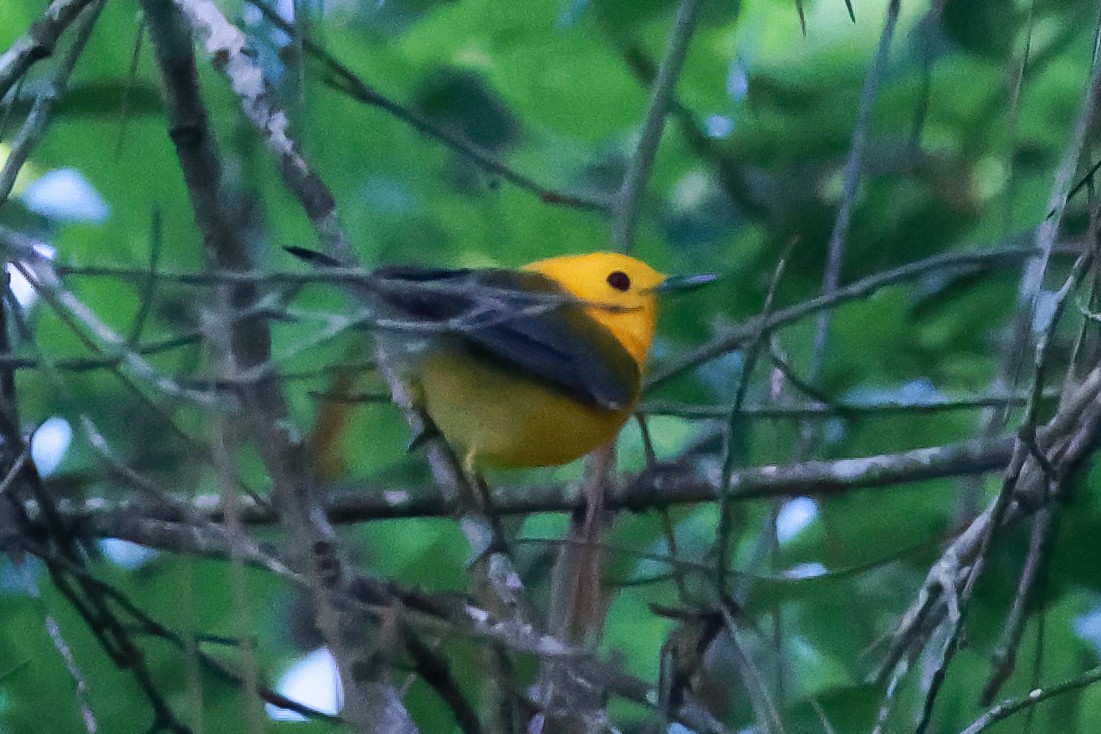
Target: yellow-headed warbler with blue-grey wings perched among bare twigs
point(522, 368)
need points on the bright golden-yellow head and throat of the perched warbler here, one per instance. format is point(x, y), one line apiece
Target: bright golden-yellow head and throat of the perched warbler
point(622, 289)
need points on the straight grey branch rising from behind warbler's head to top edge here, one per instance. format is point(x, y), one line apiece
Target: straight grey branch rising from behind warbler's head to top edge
point(629, 198)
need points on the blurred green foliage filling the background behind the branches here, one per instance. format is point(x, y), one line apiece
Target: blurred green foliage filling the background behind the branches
point(960, 157)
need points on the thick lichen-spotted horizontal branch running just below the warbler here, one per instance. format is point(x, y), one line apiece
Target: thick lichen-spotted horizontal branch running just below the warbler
point(167, 525)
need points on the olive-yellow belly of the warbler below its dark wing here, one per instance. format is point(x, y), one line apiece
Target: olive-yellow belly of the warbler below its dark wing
point(492, 415)
